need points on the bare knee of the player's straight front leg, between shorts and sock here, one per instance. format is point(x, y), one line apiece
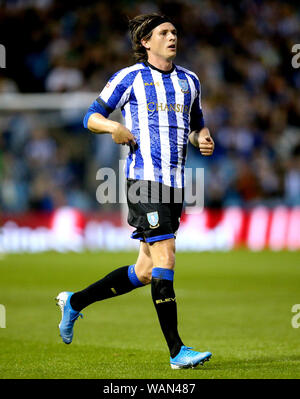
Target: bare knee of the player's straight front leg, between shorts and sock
point(163, 253)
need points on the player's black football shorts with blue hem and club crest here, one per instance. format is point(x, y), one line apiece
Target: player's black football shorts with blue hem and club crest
point(154, 209)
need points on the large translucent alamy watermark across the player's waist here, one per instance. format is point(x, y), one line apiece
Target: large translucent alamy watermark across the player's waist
point(192, 195)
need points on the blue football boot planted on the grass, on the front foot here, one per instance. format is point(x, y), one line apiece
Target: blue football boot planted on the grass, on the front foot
point(187, 358)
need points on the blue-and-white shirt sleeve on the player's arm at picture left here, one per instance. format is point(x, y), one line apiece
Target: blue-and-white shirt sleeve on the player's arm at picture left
point(113, 96)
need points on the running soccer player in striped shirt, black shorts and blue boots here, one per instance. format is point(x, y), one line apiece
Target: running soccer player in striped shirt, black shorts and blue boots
point(161, 106)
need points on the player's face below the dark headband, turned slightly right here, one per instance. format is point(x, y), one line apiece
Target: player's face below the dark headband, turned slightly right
point(163, 41)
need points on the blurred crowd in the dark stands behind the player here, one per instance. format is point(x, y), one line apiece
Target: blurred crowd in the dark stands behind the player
point(241, 51)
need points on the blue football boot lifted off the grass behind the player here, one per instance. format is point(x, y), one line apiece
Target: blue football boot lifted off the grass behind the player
point(69, 316)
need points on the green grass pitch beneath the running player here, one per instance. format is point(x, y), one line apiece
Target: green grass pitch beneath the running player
point(235, 304)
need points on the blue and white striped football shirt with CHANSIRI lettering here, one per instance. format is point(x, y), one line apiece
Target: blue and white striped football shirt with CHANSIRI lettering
point(160, 109)
